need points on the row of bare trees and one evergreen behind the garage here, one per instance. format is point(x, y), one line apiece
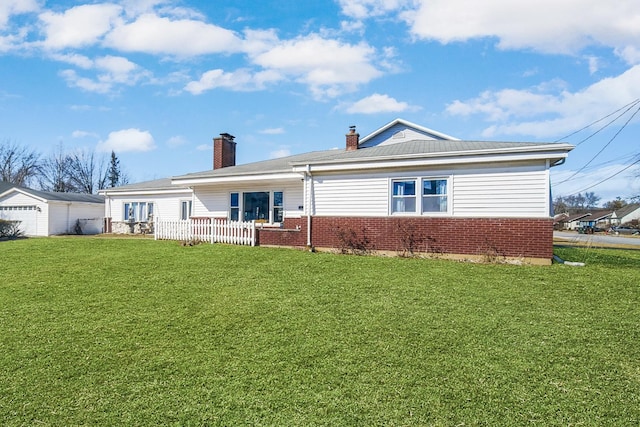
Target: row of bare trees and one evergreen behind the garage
point(79, 171)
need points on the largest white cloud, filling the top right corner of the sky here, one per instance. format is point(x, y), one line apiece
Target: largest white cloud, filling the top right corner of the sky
point(544, 25)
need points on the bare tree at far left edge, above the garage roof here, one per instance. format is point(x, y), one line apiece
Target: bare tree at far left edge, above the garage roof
point(18, 165)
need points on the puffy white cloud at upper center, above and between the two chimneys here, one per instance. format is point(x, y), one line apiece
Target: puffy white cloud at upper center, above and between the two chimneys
point(328, 66)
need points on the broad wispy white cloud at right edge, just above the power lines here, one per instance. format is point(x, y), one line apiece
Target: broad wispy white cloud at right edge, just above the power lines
point(549, 110)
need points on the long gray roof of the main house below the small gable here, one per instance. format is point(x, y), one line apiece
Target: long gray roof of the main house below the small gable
point(409, 149)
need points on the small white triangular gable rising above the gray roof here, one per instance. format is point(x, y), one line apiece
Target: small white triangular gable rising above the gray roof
point(401, 130)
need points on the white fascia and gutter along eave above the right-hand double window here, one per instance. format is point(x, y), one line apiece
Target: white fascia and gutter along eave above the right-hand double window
point(447, 159)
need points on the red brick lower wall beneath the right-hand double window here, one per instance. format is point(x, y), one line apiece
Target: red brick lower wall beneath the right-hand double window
point(484, 237)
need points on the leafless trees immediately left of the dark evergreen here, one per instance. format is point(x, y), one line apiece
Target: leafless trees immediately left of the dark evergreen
point(87, 173)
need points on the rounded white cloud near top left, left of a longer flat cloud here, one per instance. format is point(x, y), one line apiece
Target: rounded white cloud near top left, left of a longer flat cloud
point(79, 26)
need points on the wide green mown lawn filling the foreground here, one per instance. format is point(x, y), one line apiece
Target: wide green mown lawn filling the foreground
point(97, 331)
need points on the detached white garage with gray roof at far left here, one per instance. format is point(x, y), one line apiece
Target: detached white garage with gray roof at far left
point(43, 213)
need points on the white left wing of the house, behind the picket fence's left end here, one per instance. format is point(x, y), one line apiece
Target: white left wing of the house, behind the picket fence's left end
point(132, 208)
